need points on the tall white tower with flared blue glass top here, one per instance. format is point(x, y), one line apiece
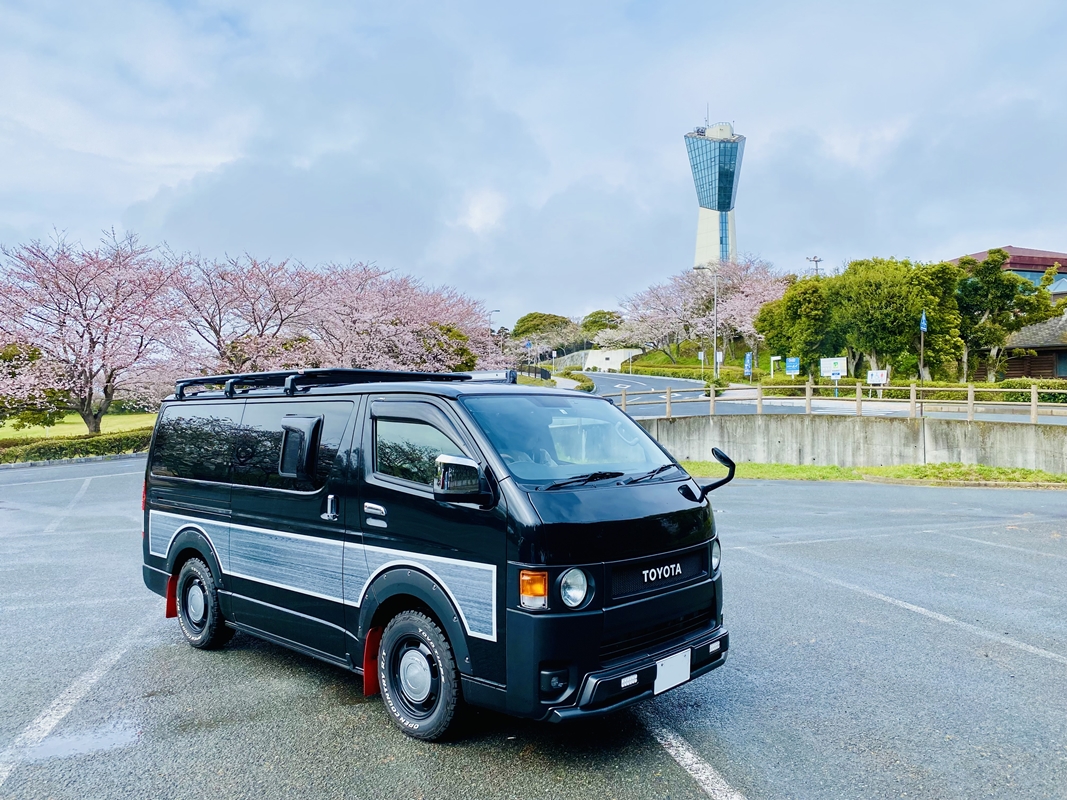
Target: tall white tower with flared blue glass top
point(715, 155)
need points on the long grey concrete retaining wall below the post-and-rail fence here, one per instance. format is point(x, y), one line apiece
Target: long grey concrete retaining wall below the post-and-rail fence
point(825, 440)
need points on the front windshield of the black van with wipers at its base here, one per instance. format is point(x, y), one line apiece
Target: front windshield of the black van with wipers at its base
point(551, 439)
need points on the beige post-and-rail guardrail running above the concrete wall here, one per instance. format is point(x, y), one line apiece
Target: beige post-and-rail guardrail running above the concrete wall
point(916, 399)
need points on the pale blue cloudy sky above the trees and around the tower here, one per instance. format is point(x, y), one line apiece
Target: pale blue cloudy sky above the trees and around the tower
point(532, 154)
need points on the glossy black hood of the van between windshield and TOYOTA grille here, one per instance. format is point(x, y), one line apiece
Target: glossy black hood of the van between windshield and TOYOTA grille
point(612, 523)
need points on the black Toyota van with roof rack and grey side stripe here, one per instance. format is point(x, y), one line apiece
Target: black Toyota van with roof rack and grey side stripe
point(530, 551)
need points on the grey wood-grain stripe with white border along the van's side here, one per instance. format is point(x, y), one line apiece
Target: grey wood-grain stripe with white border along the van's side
point(341, 572)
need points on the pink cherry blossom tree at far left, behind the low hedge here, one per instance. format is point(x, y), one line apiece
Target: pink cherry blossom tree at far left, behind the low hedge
point(99, 319)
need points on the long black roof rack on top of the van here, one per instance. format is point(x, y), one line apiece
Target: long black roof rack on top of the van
point(321, 382)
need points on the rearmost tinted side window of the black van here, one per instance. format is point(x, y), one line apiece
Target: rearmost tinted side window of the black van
point(196, 441)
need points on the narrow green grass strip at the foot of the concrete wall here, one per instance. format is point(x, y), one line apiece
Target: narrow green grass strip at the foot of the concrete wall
point(965, 473)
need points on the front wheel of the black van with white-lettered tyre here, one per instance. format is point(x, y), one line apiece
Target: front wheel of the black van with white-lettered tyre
point(418, 676)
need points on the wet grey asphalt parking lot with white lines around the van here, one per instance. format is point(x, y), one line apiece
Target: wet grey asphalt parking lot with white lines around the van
point(887, 642)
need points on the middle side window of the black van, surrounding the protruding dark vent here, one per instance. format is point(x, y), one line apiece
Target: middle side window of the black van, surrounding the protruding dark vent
point(259, 450)
